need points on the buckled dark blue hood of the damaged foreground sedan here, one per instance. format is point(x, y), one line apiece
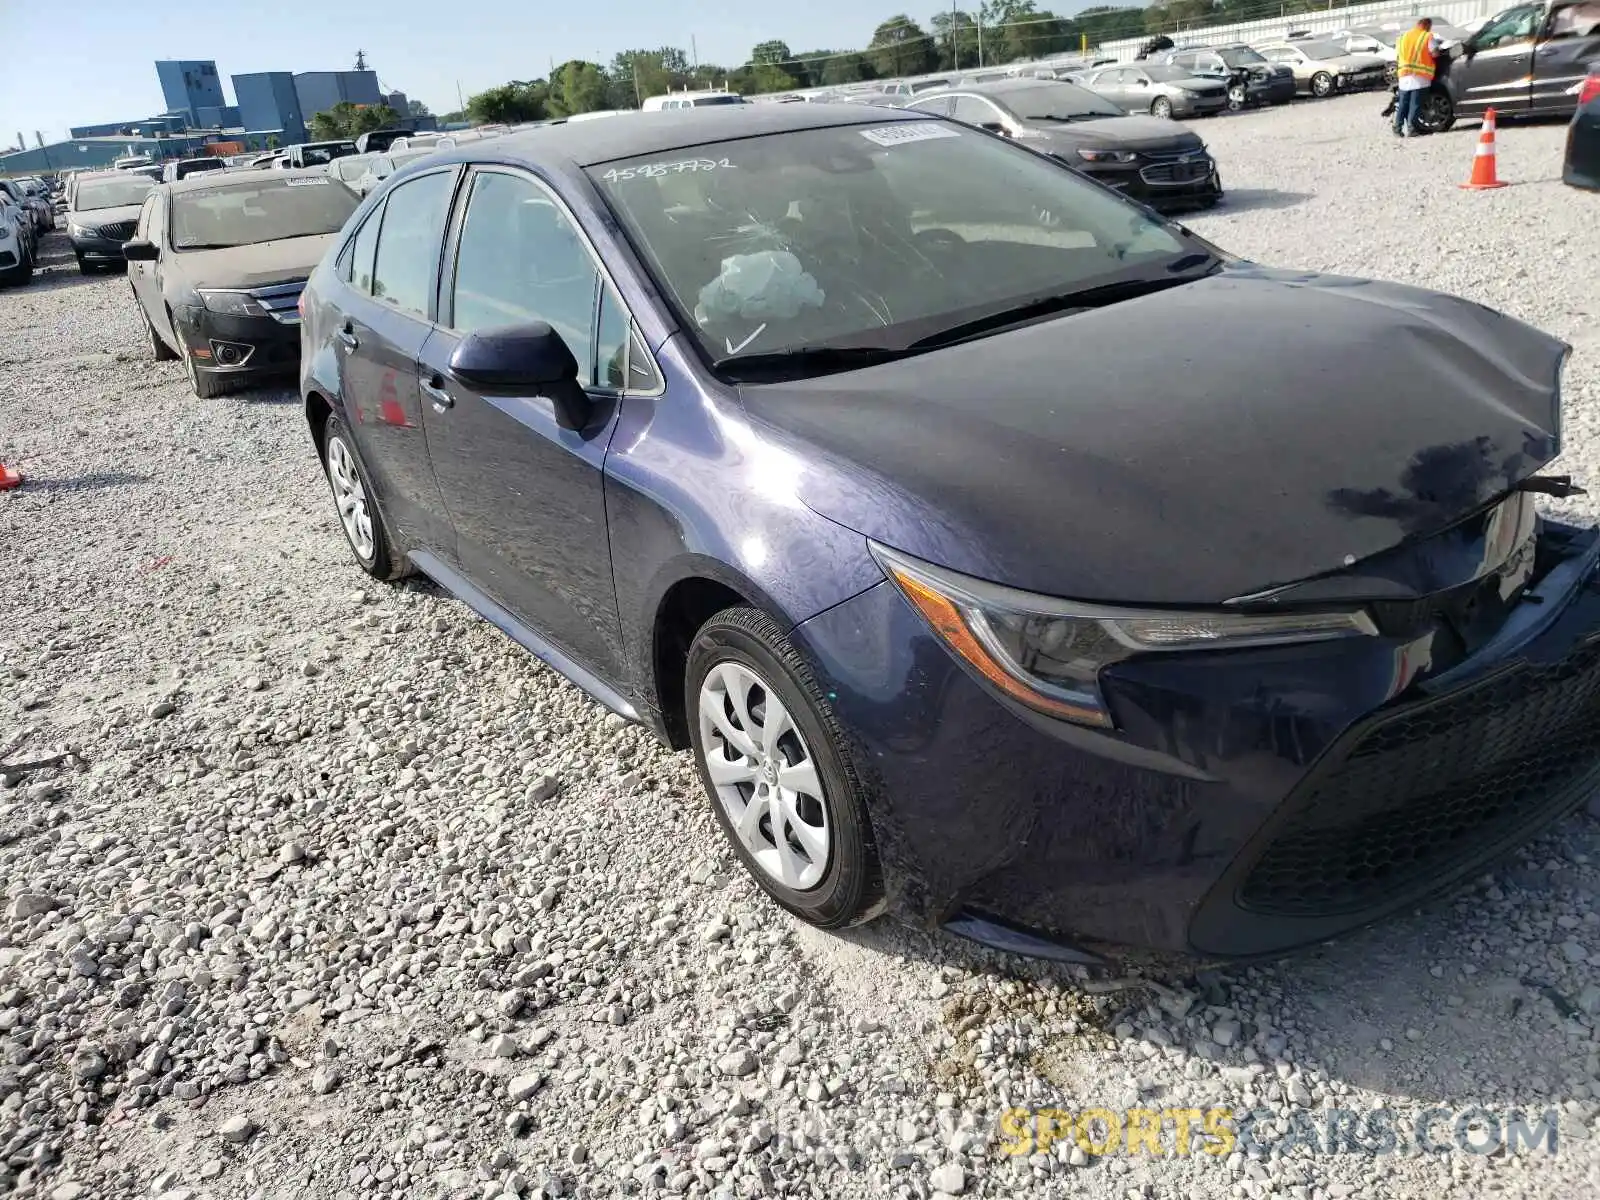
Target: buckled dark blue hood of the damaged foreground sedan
point(1188, 447)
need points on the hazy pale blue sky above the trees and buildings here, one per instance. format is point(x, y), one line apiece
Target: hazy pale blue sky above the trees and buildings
point(94, 60)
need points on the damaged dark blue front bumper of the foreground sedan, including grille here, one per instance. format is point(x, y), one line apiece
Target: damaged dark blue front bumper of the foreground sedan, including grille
point(1249, 802)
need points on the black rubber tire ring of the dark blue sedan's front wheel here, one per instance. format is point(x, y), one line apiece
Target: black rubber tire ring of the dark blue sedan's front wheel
point(852, 886)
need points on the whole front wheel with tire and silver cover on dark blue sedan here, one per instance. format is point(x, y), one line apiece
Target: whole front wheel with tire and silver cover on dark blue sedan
point(772, 758)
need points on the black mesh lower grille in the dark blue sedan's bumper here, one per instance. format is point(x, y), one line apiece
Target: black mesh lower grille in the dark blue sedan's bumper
point(1425, 791)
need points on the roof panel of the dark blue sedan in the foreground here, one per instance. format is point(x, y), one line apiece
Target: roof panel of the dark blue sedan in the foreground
point(638, 134)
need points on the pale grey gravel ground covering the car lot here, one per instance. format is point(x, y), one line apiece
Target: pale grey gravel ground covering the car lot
point(346, 897)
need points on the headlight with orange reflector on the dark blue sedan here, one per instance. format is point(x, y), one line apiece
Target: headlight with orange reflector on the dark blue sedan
point(1049, 654)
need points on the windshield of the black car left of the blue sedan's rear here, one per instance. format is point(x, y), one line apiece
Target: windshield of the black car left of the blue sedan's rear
point(242, 215)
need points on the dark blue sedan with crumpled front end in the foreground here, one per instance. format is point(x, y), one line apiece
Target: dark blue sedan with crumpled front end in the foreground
point(1009, 558)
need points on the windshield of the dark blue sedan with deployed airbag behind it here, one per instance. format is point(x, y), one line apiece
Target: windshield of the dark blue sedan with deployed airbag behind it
point(871, 236)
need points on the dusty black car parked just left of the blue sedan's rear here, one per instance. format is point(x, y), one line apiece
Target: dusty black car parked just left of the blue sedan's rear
point(218, 265)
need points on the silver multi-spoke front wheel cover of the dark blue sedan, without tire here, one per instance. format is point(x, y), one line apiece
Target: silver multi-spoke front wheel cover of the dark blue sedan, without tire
point(766, 777)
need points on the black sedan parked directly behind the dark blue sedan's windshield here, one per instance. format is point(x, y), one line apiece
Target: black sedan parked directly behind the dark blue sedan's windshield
point(1150, 159)
